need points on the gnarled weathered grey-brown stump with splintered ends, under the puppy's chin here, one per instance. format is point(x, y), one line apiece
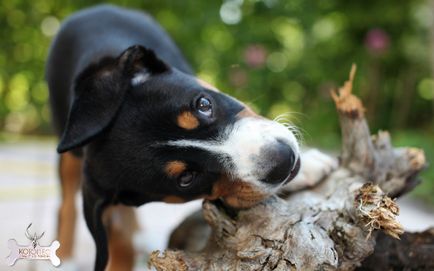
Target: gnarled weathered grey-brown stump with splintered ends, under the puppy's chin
point(330, 225)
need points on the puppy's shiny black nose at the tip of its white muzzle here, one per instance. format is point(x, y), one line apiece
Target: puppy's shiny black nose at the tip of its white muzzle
point(282, 158)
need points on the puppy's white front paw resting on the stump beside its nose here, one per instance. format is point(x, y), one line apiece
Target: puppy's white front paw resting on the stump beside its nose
point(315, 166)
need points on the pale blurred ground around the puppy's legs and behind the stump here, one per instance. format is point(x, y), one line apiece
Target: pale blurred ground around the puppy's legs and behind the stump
point(29, 194)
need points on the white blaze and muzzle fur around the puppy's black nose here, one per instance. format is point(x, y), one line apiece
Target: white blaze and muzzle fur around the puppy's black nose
point(242, 144)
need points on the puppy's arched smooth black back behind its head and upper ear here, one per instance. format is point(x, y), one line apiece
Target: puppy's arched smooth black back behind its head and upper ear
point(88, 36)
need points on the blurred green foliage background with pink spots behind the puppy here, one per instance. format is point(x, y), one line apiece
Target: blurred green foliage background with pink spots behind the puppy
point(276, 55)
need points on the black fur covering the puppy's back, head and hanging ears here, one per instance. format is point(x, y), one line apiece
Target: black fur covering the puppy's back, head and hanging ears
point(122, 128)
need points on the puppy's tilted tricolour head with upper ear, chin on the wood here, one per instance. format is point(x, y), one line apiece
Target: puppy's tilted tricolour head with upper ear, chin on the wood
point(155, 133)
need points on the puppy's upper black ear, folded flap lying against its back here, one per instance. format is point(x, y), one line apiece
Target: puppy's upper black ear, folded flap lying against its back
point(99, 92)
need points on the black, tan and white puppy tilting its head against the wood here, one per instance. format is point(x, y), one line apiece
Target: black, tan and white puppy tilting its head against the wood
point(139, 127)
